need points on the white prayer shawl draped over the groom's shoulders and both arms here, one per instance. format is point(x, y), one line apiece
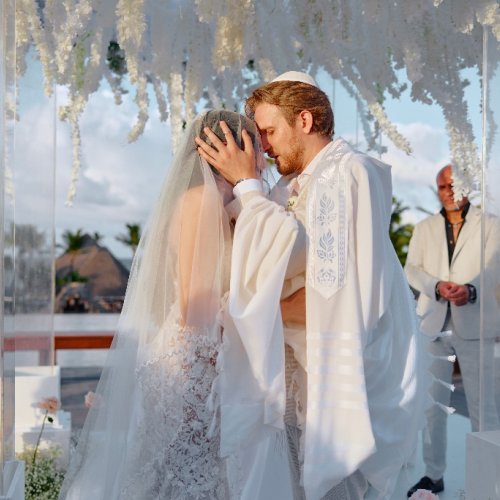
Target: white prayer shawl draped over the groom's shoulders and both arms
point(365, 395)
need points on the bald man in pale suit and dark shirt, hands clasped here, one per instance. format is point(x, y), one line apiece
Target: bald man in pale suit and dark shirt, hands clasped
point(443, 267)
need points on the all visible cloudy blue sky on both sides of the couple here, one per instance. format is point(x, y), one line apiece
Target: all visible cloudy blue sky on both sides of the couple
point(119, 182)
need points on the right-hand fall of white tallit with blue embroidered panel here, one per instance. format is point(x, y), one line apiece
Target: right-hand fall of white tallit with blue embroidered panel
point(365, 366)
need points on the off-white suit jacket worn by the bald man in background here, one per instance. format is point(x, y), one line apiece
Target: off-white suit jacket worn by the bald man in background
point(427, 263)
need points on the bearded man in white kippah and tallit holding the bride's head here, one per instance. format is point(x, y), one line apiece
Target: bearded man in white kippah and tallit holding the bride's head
point(353, 361)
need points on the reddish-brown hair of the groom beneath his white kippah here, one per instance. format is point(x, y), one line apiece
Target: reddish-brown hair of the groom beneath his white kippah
point(292, 98)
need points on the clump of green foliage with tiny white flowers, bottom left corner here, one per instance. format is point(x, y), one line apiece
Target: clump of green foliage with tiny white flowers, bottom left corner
point(43, 477)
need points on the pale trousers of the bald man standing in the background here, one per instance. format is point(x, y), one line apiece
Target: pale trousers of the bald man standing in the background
point(467, 352)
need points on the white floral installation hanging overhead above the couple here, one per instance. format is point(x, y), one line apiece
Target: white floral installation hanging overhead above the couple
point(216, 50)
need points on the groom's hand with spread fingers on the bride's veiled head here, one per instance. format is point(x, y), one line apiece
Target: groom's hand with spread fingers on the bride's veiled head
point(232, 162)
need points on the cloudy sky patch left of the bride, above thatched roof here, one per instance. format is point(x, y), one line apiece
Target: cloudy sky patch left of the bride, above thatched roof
point(118, 182)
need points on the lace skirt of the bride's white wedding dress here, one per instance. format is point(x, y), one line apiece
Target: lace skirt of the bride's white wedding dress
point(178, 434)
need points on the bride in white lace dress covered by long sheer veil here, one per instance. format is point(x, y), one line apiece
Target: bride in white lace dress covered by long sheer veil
point(151, 432)
